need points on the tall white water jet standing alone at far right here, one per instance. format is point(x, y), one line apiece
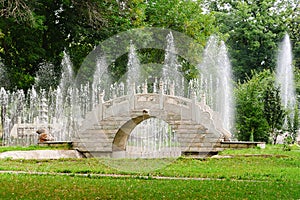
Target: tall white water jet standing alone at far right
point(284, 74)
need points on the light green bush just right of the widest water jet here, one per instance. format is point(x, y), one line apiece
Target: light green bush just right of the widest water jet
point(250, 117)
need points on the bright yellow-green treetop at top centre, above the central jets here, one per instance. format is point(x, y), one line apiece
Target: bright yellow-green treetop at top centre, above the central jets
point(183, 16)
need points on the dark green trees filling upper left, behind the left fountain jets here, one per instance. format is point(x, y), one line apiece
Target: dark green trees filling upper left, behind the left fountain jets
point(37, 32)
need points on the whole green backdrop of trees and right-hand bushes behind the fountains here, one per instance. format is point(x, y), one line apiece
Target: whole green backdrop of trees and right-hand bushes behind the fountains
point(36, 33)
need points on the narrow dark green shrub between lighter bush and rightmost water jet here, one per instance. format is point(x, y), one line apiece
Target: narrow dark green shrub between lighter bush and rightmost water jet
point(274, 112)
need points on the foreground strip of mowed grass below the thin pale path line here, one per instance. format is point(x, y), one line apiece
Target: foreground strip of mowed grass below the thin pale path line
point(74, 187)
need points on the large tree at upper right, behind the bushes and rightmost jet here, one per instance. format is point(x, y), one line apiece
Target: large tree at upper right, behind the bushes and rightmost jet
point(254, 29)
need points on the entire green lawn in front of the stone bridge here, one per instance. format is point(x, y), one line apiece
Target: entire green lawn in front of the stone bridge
point(269, 173)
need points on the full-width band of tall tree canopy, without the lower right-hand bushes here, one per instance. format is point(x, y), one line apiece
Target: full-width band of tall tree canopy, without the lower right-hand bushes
point(36, 32)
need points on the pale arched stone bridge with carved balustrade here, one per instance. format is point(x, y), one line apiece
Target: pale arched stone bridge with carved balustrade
point(106, 129)
